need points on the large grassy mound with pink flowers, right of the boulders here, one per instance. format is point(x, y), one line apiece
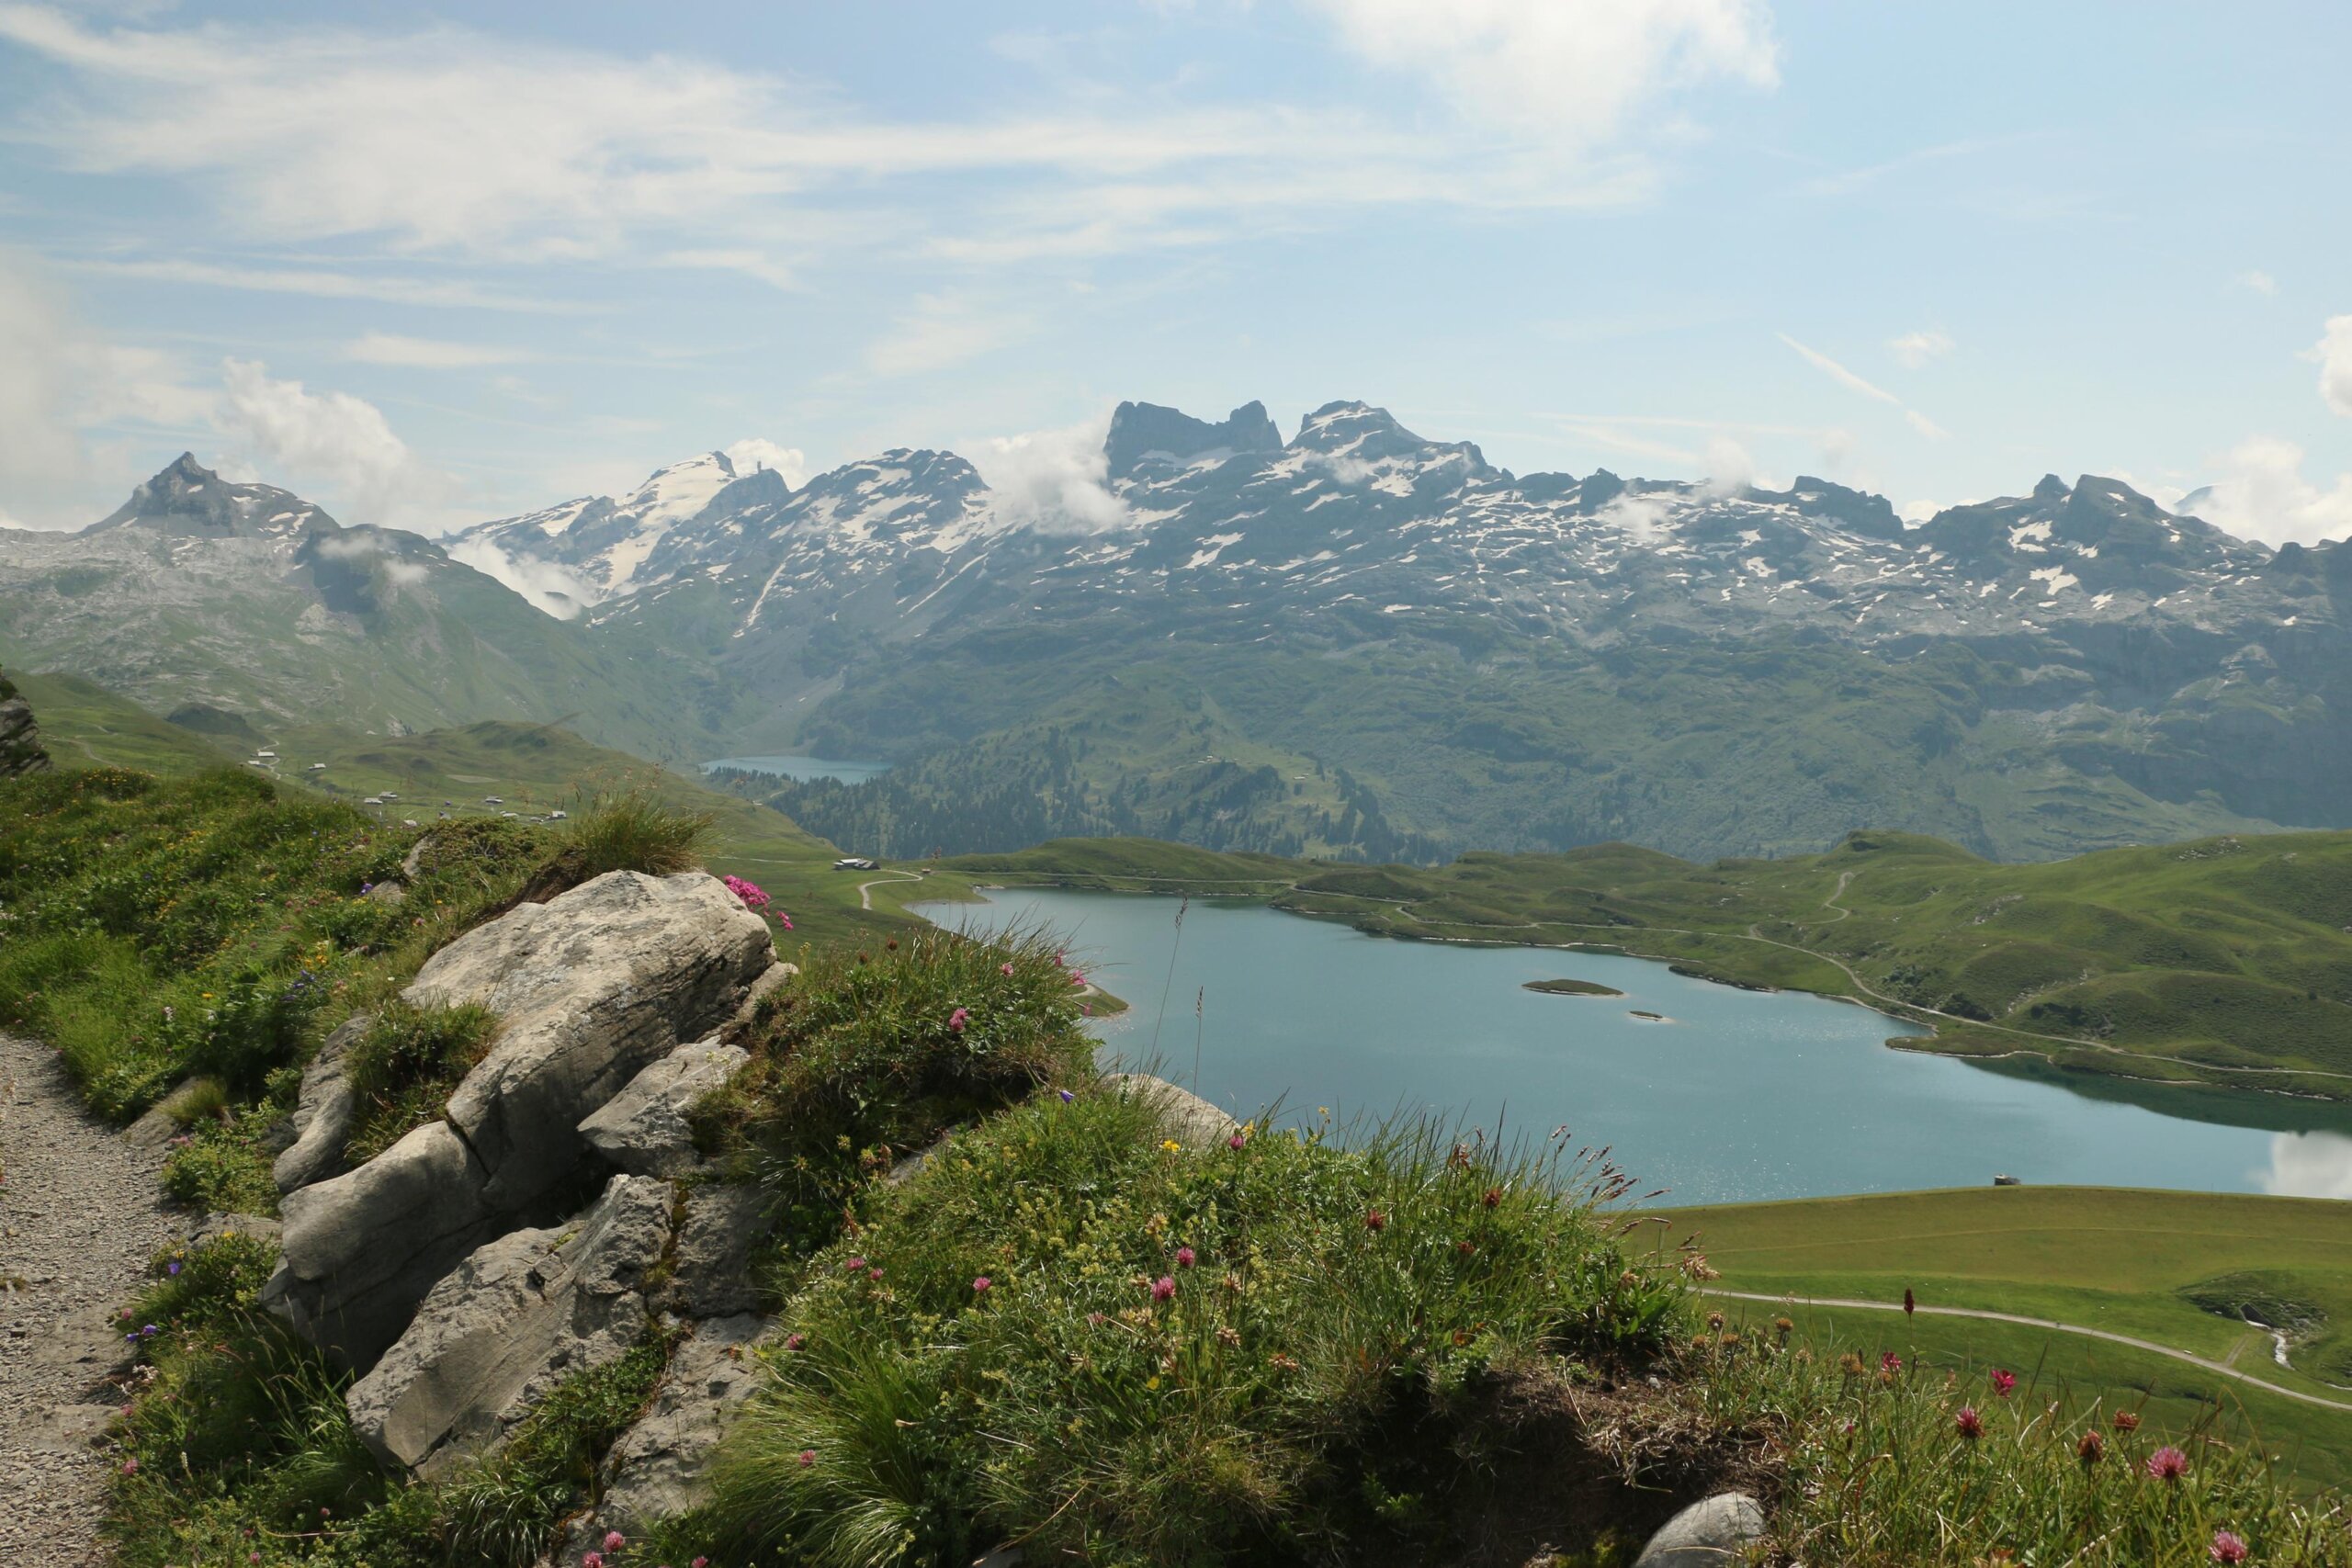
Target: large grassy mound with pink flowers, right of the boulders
point(1177, 1358)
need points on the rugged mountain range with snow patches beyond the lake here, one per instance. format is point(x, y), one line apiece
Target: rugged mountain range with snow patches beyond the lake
point(1351, 643)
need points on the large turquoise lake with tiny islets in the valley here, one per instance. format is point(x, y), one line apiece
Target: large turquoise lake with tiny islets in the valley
point(1730, 1097)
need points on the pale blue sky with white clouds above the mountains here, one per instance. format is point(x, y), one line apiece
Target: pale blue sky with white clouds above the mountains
point(432, 267)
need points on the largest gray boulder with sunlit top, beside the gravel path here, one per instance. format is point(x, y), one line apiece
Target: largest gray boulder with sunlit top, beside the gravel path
point(592, 989)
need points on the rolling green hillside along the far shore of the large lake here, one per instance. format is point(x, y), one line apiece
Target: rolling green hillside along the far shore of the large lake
point(2212, 963)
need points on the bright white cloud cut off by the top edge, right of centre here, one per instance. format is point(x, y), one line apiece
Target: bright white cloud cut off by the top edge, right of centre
point(1575, 72)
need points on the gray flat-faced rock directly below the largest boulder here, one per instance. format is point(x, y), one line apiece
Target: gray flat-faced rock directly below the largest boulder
point(509, 1325)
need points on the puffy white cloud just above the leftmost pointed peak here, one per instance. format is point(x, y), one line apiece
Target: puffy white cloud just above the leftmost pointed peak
point(326, 436)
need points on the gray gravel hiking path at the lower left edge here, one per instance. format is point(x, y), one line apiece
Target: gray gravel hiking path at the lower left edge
point(81, 1214)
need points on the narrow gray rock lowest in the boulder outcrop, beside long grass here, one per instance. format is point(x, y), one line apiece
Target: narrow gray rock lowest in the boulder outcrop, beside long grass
point(657, 1468)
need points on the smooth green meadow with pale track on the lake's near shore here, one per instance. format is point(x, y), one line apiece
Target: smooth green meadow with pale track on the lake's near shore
point(2184, 1271)
